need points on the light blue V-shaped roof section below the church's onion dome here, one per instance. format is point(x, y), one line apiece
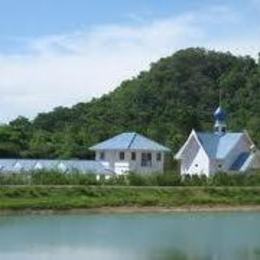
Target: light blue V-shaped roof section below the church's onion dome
point(218, 146)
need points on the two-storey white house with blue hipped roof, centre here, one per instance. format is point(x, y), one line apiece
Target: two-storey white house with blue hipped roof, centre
point(128, 152)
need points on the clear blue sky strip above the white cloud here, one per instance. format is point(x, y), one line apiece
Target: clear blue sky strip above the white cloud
point(21, 20)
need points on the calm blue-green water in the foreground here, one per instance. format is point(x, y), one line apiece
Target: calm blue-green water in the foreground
point(131, 236)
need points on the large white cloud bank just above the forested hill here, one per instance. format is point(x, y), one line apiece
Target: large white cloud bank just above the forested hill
point(65, 69)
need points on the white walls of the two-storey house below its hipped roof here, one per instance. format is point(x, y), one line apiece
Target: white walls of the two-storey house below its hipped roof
point(122, 166)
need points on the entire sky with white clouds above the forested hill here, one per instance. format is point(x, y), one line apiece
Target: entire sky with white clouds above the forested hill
point(59, 52)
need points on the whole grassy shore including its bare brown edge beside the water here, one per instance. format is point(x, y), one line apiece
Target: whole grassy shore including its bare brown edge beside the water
point(89, 199)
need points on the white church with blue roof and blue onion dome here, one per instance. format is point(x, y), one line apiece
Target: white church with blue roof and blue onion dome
point(219, 151)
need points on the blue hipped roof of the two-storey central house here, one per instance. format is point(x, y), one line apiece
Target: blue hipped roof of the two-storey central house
point(130, 141)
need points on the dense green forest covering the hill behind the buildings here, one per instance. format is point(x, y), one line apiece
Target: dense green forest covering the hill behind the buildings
point(177, 94)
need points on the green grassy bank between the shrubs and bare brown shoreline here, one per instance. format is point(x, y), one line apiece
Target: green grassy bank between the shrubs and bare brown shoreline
point(77, 197)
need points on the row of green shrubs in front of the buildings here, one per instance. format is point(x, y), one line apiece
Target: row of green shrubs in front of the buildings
point(131, 179)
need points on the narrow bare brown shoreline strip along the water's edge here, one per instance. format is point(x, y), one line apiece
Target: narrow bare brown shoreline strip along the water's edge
point(132, 210)
